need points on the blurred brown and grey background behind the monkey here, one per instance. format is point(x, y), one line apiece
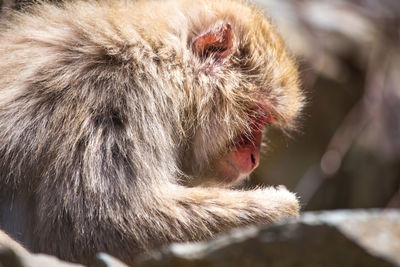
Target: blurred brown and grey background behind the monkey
point(347, 152)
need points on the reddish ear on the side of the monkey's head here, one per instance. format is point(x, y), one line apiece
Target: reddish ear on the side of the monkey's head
point(216, 43)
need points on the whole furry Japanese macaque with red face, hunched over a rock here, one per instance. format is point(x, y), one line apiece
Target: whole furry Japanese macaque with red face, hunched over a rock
point(124, 125)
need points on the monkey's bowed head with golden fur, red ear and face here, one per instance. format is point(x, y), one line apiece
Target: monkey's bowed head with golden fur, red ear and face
point(238, 80)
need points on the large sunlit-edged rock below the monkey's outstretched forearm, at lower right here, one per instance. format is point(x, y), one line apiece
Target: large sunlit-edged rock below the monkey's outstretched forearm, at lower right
point(337, 238)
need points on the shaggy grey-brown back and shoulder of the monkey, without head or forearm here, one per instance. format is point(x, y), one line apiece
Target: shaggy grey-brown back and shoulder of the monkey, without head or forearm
point(84, 125)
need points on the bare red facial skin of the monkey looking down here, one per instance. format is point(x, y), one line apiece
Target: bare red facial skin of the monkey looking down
point(244, 158)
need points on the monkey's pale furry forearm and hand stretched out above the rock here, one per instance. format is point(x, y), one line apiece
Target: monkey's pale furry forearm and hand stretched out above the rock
point(206, 211)
